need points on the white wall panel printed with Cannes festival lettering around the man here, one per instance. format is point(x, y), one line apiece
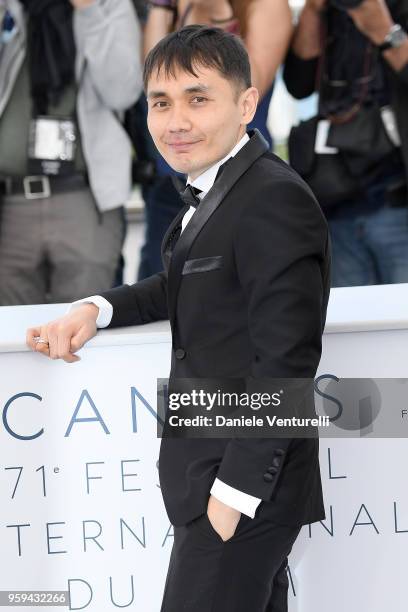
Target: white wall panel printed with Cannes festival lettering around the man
point(84, 490)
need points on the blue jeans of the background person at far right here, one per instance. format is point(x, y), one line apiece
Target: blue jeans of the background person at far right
point(371, 248)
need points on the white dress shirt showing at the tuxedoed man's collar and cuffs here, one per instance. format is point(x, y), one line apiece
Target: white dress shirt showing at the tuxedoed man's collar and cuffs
point(245, 503)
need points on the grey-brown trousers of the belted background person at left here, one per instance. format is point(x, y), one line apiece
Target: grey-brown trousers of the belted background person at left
point(57, 249)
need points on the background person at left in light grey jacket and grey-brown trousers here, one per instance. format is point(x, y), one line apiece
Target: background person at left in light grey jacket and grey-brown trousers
point(68, 71)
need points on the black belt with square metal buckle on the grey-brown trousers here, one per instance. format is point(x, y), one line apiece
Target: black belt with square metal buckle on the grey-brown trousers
point(41, 186)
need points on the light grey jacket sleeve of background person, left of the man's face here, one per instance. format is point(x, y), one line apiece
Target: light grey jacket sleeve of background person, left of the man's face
point(108, 37)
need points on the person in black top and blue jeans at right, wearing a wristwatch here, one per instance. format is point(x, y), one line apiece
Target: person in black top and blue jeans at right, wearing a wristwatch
point(354, 153)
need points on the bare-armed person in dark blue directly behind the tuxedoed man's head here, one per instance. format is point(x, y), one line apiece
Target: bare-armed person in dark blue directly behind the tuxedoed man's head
point(266, 29)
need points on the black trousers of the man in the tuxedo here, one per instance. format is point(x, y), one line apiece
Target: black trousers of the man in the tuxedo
point(247, 573)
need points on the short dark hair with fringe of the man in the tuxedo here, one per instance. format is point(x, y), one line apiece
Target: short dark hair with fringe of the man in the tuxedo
point(198, 45)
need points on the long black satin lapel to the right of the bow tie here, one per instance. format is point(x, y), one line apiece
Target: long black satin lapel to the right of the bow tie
point(254, 148)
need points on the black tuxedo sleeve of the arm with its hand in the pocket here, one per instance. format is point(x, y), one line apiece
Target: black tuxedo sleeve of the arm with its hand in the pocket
point(281, 249)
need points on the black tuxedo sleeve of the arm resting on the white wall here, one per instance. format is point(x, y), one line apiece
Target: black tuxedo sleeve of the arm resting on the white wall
point(143, 302)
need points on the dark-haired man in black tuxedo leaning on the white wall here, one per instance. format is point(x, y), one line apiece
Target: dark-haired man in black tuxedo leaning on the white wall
point(245, 285)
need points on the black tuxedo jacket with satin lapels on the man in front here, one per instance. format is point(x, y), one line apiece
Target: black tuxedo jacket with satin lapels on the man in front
point(245, 287)
